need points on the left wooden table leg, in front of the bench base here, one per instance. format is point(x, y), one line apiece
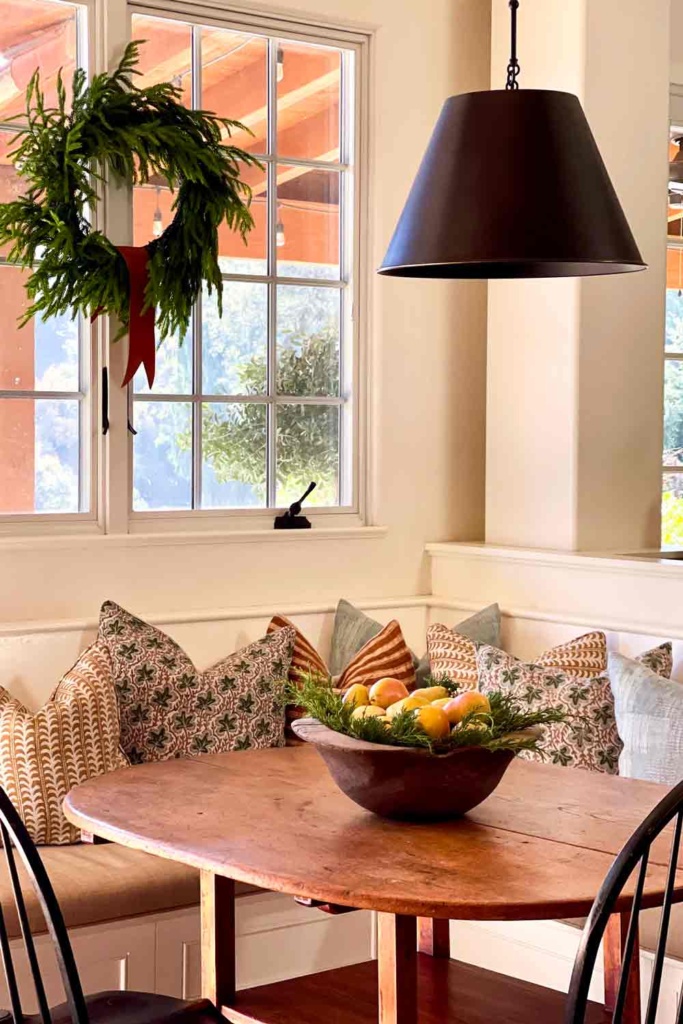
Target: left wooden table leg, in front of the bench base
point(218, 916)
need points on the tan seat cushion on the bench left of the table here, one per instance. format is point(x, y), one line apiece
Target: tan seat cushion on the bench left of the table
point(101, 883)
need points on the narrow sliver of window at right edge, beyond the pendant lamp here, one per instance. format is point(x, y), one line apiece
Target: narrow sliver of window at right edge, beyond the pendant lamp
point(672, 502)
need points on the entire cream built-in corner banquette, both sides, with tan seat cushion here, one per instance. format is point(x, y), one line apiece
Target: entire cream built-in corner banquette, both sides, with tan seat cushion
point(135, 919)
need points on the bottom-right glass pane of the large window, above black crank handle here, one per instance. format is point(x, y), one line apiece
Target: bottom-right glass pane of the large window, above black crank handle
point(308, 450)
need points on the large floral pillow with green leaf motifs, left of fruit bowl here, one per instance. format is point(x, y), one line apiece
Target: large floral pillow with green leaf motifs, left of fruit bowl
point(170, 710)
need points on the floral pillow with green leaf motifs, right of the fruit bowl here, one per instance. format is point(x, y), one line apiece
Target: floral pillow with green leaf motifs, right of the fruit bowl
point(588, 738)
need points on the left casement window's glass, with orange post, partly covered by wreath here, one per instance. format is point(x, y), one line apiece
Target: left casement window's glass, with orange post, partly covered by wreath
point(45, 367)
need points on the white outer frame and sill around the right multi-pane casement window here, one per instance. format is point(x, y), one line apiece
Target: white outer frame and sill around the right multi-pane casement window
point(110, 456)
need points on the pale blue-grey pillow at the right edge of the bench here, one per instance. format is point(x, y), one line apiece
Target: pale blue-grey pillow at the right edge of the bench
point(650, 719)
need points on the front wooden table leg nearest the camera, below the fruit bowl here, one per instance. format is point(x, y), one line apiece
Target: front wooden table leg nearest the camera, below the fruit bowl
point(398, 969)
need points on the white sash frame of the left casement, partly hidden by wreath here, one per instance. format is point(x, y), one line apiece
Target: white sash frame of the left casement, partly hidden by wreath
point(89, 392)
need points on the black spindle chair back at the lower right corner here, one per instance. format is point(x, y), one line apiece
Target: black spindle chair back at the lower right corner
point(634, 858)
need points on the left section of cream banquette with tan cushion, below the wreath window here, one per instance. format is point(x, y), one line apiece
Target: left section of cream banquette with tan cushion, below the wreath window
point(134, 918)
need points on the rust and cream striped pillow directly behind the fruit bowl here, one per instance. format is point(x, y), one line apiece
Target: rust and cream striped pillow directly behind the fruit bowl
point(385, 655)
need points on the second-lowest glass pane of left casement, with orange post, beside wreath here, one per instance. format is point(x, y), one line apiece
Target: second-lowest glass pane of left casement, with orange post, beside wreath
point(45, 355)
